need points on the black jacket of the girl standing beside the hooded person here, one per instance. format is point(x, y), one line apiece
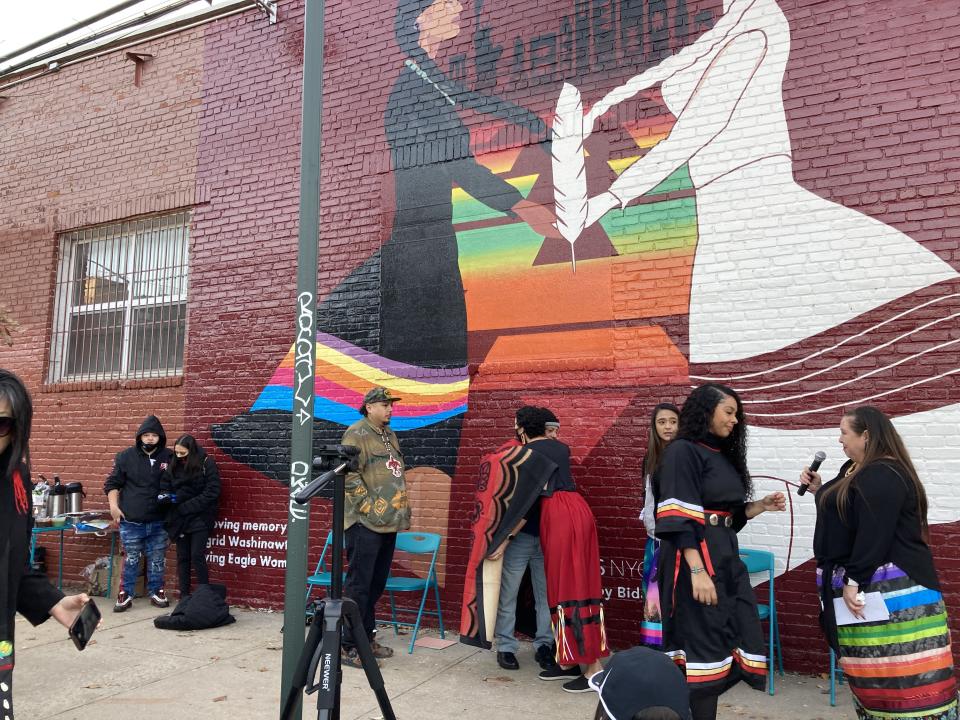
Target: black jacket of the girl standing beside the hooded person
point(197, 492)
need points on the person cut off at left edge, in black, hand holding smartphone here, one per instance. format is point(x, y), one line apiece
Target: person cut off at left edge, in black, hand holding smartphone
point(21, 590)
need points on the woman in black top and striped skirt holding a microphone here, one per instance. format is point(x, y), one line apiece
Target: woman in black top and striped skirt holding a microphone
point(873, 562)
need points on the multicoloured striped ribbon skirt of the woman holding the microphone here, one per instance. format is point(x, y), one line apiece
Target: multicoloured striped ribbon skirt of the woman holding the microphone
point(901, 667)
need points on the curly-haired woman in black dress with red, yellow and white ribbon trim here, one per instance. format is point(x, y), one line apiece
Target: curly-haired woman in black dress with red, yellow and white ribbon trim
point(710, 624)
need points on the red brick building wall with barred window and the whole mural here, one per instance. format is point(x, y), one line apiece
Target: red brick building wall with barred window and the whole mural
point(114, 164)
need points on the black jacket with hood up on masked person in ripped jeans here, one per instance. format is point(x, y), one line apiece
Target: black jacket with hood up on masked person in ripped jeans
point(137, 475)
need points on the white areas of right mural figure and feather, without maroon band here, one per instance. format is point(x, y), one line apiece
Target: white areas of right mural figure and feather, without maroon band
point(761, 237)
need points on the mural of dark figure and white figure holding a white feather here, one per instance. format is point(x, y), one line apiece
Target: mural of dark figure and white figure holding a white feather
point(620, 246)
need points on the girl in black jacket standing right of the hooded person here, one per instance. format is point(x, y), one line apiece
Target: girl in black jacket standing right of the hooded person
point(194, 481)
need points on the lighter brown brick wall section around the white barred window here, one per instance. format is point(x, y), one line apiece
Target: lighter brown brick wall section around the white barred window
point(81, 147)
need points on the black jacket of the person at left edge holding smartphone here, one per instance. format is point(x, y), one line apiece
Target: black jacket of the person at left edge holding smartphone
point(21, 590)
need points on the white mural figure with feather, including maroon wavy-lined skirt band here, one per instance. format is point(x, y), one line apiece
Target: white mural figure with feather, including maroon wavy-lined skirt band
point(759, 233)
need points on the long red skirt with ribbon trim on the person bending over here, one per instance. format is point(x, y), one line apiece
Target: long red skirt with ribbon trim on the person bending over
point(571, 557)
